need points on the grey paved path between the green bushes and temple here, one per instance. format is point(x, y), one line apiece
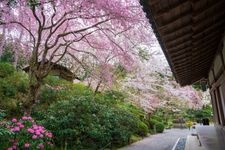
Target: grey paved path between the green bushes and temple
point(164, 141)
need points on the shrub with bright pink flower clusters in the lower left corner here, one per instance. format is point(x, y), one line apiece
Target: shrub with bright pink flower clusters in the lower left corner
point(28, 134)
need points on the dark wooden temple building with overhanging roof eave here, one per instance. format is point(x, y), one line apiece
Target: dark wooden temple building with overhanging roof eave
point(192, 36)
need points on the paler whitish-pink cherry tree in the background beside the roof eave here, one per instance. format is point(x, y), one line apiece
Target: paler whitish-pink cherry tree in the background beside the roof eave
point(151, 86)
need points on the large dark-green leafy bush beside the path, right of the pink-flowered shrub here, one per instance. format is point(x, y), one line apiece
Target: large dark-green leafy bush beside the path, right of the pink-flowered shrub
point(83, 122)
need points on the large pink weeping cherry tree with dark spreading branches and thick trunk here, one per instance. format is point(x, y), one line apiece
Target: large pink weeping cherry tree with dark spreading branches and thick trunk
point(50, 30)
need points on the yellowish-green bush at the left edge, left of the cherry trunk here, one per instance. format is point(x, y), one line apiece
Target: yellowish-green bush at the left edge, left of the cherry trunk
point(13, 89)
